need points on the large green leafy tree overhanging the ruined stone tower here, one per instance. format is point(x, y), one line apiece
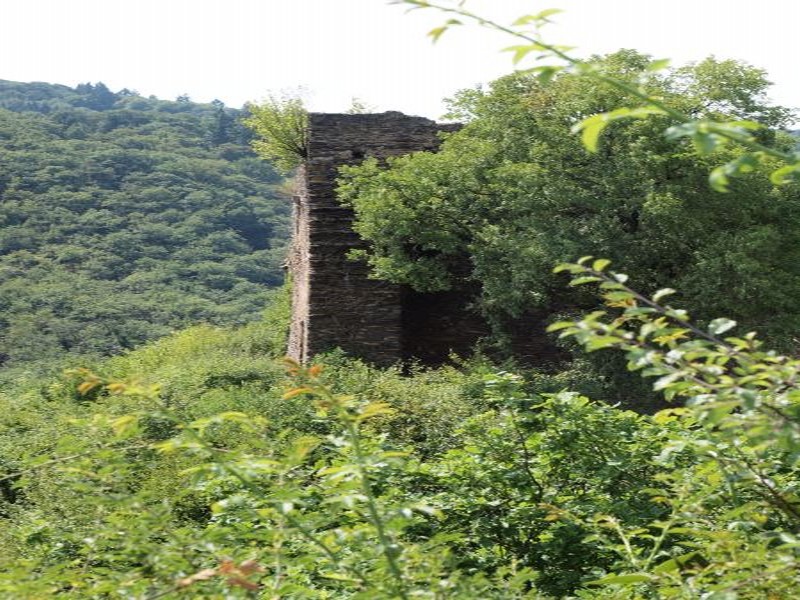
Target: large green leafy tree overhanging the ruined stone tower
point(514, 193)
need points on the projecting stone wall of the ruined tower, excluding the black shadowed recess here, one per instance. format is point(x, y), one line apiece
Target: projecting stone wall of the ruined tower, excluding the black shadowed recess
point(335, 304)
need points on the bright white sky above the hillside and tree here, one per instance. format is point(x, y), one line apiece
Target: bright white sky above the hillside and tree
point(240, 50)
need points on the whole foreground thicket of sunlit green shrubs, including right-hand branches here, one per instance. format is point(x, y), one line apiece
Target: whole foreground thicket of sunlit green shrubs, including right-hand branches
point(231, 478)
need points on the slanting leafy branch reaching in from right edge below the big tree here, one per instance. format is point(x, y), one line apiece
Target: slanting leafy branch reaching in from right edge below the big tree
point(746, 399)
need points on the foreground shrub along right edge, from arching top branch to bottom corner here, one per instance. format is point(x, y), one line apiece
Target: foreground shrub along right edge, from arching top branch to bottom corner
point(736, 512)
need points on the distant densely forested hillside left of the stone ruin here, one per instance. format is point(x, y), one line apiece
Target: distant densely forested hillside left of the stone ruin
point(123, 218)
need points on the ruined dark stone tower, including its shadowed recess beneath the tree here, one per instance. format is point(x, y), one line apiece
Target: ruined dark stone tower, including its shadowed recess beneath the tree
point(334, 302)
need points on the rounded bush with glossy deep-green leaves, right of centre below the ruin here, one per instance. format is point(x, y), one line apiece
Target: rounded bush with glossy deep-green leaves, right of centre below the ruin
point(528, 458)
